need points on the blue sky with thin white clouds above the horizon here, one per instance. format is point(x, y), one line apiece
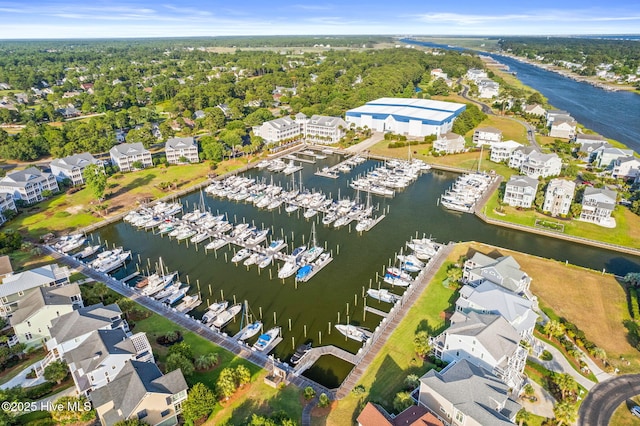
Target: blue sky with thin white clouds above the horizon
point(146, 18)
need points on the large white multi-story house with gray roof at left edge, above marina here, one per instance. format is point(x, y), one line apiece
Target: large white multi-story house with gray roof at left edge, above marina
point(28, 185)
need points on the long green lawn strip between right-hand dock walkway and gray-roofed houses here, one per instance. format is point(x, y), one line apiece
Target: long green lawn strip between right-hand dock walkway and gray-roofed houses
point(396, 360)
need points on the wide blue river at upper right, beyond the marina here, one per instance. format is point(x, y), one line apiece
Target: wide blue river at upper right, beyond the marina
point(615, 115)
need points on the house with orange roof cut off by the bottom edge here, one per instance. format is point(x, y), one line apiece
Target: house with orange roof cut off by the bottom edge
point(415, 415)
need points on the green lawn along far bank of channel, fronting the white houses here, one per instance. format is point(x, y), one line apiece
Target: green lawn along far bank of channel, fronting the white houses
point(626, 233)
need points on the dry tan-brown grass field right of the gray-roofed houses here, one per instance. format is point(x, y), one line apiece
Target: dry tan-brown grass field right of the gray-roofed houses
point(596, 303)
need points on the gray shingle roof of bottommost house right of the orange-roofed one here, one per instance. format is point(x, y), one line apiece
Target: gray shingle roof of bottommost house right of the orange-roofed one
point(475, 392)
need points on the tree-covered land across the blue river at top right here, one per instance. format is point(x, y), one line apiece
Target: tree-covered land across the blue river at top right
point(622, 55)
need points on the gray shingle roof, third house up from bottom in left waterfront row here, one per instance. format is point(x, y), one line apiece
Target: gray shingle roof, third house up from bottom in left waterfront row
point(83, 321)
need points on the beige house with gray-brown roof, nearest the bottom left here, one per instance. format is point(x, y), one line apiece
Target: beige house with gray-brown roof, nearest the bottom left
point(141, 391)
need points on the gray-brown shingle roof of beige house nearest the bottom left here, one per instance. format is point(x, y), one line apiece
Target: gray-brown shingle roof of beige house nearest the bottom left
point(132, 384)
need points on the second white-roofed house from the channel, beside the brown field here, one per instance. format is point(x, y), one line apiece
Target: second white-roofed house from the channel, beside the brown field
point(489, 298)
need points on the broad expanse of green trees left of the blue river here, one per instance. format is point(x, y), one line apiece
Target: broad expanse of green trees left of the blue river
point(135, 83)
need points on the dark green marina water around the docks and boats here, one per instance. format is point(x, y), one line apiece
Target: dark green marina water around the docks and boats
point(317, 303)
